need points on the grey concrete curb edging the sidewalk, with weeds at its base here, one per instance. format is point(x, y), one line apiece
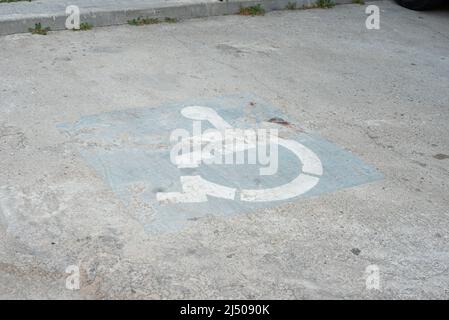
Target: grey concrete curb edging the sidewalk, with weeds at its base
point(98, 17)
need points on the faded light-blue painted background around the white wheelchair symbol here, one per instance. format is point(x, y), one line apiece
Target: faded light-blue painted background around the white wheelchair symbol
point(130, 150)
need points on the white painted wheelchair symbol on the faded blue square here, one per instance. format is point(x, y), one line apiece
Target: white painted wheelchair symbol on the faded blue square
point(196, 189)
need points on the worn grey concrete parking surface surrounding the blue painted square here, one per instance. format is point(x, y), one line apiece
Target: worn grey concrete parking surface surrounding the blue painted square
point(382, 95)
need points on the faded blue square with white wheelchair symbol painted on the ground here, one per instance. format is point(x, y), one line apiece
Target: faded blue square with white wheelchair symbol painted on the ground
point(130, 149)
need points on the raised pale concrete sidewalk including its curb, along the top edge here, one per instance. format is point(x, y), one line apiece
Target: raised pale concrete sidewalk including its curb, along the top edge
point(18, 17)
